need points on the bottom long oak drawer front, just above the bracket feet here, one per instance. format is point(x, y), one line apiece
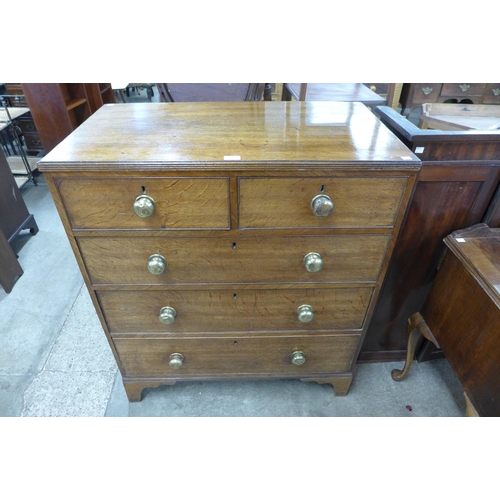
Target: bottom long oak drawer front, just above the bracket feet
point(211, 356)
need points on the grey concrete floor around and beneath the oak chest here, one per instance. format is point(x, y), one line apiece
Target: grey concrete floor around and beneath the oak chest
point(55, 360)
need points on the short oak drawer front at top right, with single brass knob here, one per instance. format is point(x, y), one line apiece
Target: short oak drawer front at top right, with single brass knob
point(361, 202)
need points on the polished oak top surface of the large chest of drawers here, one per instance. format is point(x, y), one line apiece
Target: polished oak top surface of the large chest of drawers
point(228, 136)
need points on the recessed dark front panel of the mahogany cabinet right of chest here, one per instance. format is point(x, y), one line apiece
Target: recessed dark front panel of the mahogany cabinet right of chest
point(437, 209)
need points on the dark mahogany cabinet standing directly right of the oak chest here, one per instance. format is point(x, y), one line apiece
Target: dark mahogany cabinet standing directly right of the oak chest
point(457, 187)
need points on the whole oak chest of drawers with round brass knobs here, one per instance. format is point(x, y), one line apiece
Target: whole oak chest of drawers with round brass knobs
point(232, 240)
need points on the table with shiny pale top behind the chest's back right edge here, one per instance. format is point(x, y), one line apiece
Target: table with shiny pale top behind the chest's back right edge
point(341, 92)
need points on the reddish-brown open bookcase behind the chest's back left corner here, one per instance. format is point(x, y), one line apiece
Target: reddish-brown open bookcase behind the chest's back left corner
point(59, 108)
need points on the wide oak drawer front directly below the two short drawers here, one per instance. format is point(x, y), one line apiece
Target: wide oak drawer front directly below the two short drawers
point(346, 258)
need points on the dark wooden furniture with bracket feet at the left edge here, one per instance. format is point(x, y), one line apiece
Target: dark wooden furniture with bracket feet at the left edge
point(14, 217)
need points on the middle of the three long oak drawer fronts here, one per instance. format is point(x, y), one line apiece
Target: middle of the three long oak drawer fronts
point(235, 310)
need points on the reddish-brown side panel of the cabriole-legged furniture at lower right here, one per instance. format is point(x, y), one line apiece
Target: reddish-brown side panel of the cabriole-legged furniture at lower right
point(466, 323)
